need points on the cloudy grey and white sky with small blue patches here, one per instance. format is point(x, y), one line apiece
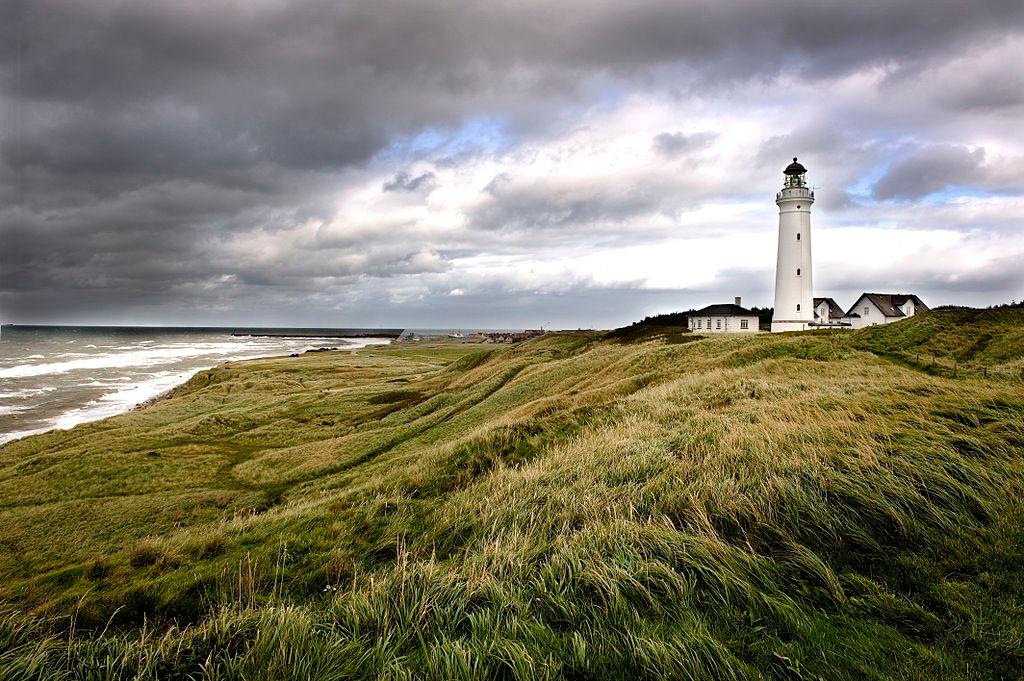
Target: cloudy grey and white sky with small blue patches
point(412, 163)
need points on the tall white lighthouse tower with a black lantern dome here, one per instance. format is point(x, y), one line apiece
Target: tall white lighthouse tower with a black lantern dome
point(794, 288)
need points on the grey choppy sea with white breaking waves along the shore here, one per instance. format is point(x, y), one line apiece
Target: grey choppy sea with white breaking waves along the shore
point(58, 377)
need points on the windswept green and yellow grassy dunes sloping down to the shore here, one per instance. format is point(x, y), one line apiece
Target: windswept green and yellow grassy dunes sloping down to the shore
point(804, 506)
